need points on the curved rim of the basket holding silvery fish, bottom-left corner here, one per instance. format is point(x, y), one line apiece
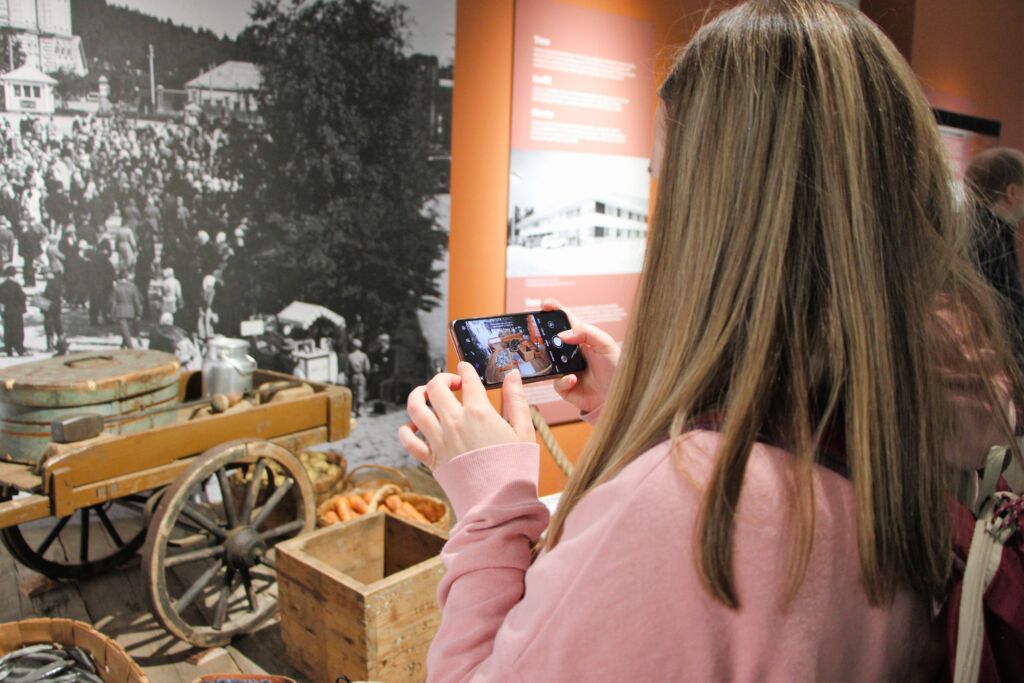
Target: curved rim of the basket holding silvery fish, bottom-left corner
point(113, 664)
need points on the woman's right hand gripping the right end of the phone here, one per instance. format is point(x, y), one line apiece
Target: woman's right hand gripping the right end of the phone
point(587, 391)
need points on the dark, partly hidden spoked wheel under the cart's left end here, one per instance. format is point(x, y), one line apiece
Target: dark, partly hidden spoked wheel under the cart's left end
point(72, 548)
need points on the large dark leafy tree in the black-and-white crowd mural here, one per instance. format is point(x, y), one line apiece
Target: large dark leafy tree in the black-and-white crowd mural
point(342, 184)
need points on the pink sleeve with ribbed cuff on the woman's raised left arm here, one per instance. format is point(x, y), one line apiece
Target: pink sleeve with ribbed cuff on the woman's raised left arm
point(494, 493)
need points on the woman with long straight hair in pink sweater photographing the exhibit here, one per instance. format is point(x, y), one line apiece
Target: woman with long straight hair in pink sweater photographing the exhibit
point(812, 358)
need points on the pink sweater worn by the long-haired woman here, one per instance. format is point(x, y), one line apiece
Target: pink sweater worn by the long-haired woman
point(619, 599)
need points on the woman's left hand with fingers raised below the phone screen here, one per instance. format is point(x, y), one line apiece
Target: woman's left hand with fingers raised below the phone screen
point(452, 429)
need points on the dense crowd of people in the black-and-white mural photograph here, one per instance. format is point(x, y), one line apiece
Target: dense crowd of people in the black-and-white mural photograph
point(134, 223)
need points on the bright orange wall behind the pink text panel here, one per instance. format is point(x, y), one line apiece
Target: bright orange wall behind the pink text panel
point(482, 124)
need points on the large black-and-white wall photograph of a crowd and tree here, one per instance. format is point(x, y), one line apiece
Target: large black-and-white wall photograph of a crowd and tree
point(272, 170)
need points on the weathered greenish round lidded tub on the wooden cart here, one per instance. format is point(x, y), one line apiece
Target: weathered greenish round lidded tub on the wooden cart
point(108, 383)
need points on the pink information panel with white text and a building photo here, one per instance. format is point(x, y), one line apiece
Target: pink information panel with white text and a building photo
point(579, 183)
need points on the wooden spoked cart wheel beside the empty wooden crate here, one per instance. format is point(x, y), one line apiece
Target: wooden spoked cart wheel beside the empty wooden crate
point(210, 564)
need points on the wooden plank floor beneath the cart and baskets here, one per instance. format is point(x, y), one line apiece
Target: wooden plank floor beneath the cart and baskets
point(117, 604)
